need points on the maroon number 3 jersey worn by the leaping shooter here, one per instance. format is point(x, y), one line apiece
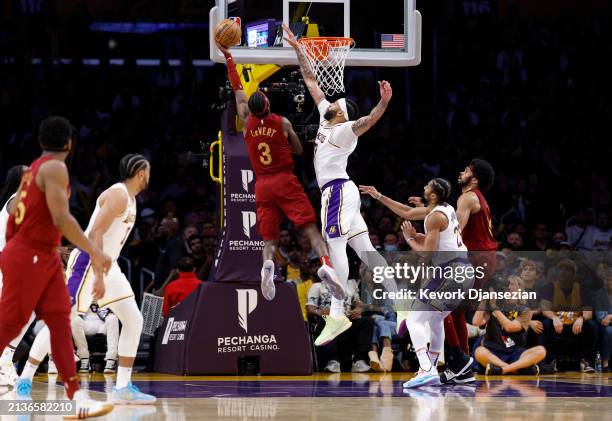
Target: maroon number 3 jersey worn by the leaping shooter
point(267, 145)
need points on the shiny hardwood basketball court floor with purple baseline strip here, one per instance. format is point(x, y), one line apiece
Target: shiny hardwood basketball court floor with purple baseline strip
point(354, 397)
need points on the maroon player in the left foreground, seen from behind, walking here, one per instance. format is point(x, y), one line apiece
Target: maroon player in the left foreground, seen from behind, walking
point(31, 265)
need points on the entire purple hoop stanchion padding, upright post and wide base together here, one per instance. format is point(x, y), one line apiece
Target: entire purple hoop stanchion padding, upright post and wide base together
point(229, 318)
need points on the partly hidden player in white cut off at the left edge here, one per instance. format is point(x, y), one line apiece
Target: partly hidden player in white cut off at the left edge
point(8, 375)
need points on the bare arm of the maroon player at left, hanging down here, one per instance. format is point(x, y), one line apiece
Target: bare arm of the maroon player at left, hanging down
point(53, 181)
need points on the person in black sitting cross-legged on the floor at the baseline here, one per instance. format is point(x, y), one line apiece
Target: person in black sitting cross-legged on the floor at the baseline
point(504, 349)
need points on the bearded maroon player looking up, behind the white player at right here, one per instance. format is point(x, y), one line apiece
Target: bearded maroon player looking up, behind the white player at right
point(475, 221)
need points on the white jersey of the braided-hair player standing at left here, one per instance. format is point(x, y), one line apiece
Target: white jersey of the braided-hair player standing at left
point(117, 234)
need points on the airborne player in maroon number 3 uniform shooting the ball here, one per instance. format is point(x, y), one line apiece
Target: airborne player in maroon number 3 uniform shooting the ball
point(270, 141)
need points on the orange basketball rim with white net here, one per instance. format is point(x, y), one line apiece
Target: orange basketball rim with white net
point(326, 56)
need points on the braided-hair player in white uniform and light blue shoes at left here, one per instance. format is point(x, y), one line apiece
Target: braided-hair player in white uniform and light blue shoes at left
point(109, 228)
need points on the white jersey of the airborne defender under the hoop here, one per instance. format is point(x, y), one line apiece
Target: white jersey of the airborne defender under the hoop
point(333, 146)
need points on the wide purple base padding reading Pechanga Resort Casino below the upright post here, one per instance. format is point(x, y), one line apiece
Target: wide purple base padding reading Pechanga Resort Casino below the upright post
point(225, 321)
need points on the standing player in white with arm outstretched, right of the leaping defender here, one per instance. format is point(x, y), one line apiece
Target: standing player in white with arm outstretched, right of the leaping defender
point(443, 247)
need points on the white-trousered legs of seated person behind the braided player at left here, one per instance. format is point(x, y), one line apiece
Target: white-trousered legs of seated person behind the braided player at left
point(96, 321)
